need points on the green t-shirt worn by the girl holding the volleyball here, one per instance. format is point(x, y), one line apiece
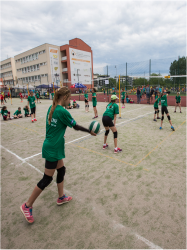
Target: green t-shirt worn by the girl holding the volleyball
point(54, 144)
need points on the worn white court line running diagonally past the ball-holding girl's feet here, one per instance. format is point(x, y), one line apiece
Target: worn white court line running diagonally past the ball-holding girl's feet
point(116, 225)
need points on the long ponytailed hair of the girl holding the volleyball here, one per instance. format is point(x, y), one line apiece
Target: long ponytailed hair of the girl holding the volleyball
point(64, 91)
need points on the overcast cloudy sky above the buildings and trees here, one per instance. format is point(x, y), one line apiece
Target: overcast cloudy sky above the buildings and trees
point(117, 31)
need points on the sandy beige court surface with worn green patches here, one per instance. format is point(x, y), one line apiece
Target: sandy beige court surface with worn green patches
point(132, 200)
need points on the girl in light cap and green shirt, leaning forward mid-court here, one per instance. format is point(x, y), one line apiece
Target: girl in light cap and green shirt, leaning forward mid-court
point(109, 115)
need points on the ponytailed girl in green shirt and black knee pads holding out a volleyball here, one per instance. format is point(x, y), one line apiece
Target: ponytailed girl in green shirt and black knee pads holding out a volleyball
point(53, 150)
